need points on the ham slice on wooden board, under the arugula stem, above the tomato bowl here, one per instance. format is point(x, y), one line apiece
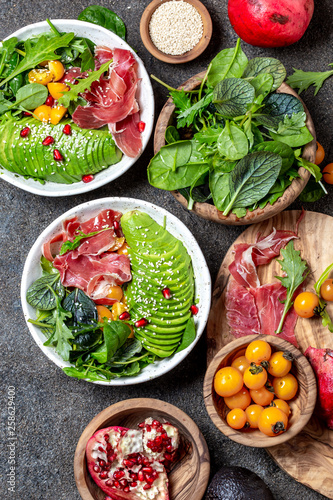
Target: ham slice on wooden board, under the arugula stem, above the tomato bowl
point(268, 299)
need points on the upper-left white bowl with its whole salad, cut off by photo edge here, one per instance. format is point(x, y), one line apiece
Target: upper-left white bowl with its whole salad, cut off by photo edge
point(58, 138)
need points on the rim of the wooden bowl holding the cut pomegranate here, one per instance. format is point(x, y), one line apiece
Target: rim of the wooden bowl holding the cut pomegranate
point(149, 407)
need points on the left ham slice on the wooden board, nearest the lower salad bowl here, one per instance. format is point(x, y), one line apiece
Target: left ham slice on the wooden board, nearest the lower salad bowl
point(242, 312)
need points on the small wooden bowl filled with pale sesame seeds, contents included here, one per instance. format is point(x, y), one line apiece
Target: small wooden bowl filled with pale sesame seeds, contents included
point(176, 31)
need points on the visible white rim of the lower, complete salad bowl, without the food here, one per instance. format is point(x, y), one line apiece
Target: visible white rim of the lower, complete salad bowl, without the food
point(32, 271)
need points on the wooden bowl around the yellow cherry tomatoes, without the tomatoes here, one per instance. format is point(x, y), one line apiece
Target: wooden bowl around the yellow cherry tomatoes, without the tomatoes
point(302, 405)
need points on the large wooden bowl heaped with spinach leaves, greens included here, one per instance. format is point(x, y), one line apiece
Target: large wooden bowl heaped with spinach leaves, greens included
point(234, 144)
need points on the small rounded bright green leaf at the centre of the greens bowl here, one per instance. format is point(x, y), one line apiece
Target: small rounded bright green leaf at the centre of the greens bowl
point(232, 142)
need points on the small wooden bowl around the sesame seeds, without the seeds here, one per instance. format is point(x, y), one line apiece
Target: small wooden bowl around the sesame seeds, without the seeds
point(191, 54)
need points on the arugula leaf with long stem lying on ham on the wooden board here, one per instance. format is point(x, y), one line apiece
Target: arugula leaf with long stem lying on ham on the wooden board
point(296, 271)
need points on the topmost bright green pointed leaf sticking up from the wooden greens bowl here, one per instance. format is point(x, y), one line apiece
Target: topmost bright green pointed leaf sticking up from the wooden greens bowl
point(229, 63)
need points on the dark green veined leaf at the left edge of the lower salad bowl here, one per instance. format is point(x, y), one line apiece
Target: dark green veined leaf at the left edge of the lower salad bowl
point(43, 292)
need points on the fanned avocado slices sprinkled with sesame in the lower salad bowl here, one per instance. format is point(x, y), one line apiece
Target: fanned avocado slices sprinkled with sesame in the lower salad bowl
point(158, 261)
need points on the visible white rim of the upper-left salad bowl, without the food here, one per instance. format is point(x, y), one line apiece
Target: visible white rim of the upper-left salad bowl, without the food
point(100, 36)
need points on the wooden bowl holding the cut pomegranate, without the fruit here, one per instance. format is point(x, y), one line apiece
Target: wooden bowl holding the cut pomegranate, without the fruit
point(189, 476)
